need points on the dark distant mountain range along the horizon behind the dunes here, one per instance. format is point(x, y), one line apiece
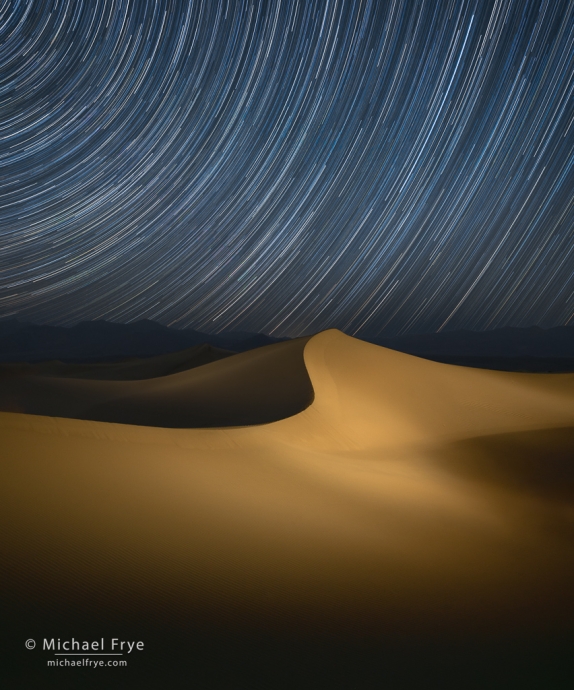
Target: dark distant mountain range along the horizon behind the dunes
point(518, 349)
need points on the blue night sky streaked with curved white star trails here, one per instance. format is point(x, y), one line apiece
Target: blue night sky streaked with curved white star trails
point(288, 166)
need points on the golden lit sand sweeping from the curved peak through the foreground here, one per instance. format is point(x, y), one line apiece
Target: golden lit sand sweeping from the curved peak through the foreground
point(409, 500)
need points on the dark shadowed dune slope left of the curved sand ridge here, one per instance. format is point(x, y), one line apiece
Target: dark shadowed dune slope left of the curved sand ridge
point(254, 387)
